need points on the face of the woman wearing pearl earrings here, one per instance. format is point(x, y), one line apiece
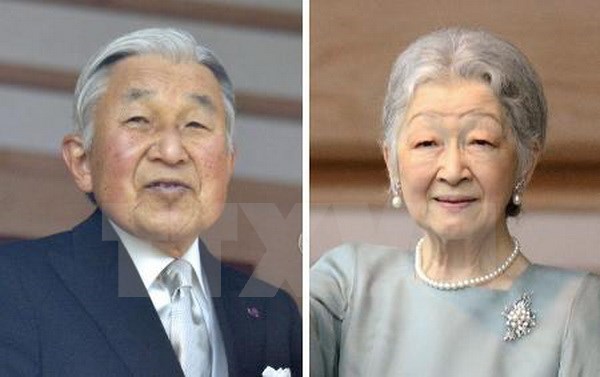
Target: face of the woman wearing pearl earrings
point(457, 159)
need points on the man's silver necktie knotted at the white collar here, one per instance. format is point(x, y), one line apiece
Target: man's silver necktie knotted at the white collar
point(188, 330)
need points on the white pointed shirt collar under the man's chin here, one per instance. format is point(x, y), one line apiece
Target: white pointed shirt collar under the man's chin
point(149, 260)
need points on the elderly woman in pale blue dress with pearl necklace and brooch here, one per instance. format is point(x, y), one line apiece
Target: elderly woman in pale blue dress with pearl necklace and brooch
point(464, 124)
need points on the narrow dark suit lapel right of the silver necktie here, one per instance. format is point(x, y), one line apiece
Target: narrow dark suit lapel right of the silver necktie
point(220, 292)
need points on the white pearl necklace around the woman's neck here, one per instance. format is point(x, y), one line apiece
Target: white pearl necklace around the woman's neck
point(454, 285)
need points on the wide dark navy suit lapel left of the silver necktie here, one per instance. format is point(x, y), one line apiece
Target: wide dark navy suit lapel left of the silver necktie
point(101, 275)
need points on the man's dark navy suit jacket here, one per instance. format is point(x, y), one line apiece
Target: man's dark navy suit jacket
point(72, 304)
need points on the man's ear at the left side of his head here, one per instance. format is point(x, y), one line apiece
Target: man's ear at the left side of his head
point(77, 160)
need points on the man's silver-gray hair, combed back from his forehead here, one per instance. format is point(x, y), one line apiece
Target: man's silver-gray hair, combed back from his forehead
point(173, 44)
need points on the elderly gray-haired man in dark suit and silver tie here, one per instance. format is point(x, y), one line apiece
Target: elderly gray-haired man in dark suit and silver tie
point(132, 291)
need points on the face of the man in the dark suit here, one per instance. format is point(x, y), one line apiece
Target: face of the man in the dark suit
point(159, 164)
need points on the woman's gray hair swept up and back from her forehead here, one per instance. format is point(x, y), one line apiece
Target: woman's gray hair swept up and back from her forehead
point(473, 55)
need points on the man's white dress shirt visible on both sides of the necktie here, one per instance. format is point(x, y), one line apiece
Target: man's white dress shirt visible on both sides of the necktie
point(150, 262)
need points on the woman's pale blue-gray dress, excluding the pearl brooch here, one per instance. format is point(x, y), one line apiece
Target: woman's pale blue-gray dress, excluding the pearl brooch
point(370, 316)
